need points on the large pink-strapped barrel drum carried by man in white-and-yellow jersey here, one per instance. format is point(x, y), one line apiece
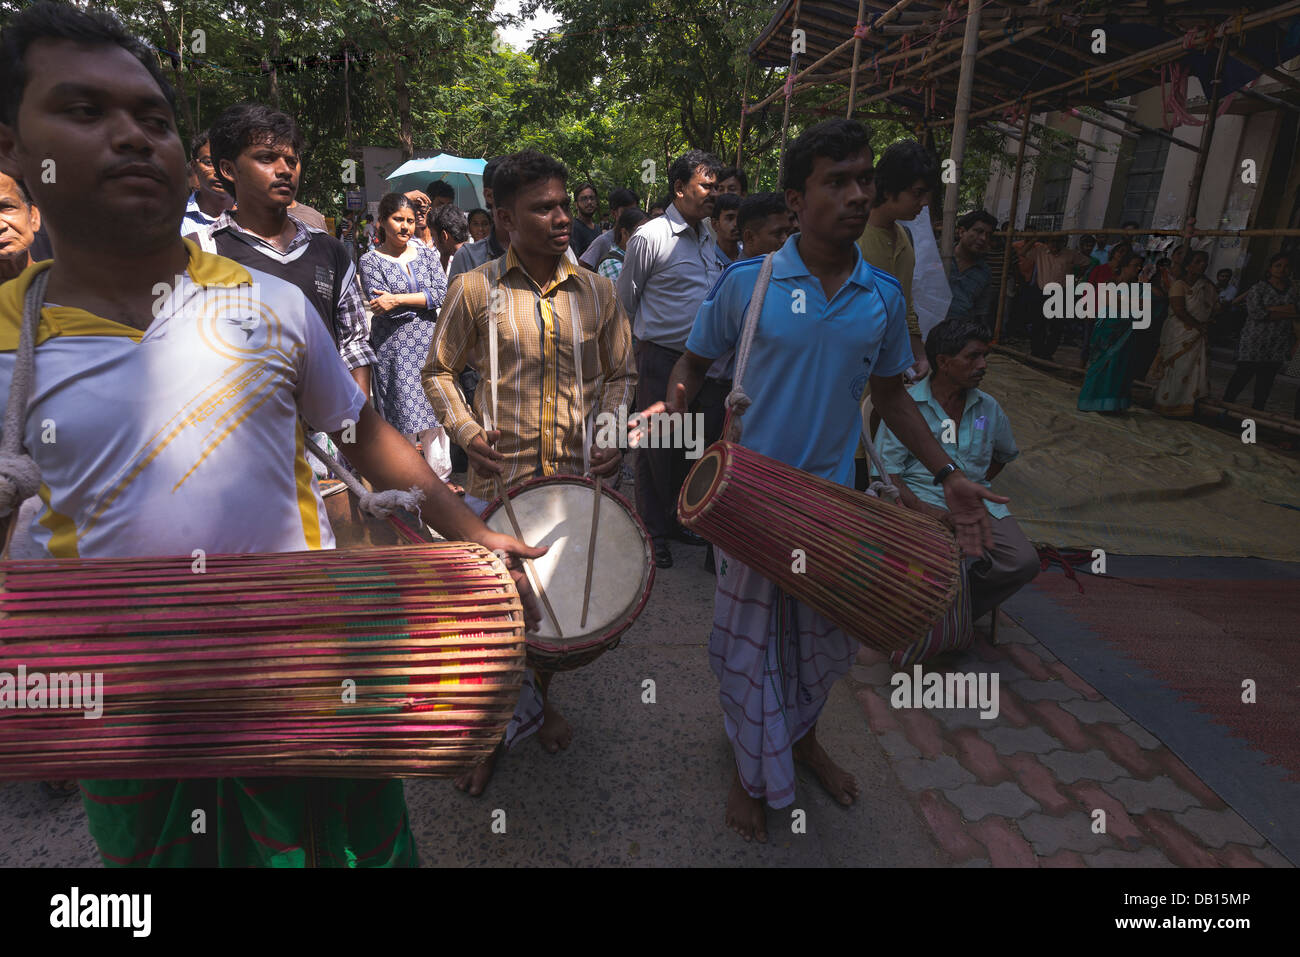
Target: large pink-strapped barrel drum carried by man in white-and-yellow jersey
point(363, 664)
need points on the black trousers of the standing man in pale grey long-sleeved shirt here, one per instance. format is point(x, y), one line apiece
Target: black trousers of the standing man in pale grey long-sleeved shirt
point(662, 471)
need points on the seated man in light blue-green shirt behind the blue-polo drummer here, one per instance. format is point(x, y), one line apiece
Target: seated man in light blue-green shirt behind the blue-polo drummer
point(976, 431)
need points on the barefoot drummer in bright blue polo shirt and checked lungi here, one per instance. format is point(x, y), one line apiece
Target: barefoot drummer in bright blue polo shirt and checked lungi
point(830, 323)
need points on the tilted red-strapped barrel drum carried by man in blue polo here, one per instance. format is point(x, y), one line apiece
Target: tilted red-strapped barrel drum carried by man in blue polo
point(881, 573)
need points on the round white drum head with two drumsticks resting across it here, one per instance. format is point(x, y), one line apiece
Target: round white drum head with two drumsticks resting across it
point(557, 513)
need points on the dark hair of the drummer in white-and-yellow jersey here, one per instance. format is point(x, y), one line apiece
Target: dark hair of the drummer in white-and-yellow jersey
point(55, 21)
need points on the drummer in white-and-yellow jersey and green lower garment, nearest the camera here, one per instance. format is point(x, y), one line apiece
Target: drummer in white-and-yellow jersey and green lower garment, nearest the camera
point(170, 425)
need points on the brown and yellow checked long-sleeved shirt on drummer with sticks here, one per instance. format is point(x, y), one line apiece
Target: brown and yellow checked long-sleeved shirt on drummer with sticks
point(539, 413)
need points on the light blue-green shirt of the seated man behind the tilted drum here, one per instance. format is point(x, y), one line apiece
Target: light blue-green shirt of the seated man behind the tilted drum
point(983, 438)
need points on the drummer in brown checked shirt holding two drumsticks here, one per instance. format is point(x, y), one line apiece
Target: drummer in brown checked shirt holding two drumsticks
point(534, 295)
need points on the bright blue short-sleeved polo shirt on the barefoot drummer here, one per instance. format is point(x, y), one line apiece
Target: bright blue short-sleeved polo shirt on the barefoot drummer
point(811, 360)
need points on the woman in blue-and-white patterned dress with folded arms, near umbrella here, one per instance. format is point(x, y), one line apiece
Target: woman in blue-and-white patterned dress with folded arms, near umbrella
point(408, 285)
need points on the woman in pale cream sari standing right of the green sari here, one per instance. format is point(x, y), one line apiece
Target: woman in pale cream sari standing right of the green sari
point(1181, 371)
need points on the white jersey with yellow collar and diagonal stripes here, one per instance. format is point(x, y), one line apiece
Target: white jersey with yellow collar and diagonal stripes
point(185, 436)
